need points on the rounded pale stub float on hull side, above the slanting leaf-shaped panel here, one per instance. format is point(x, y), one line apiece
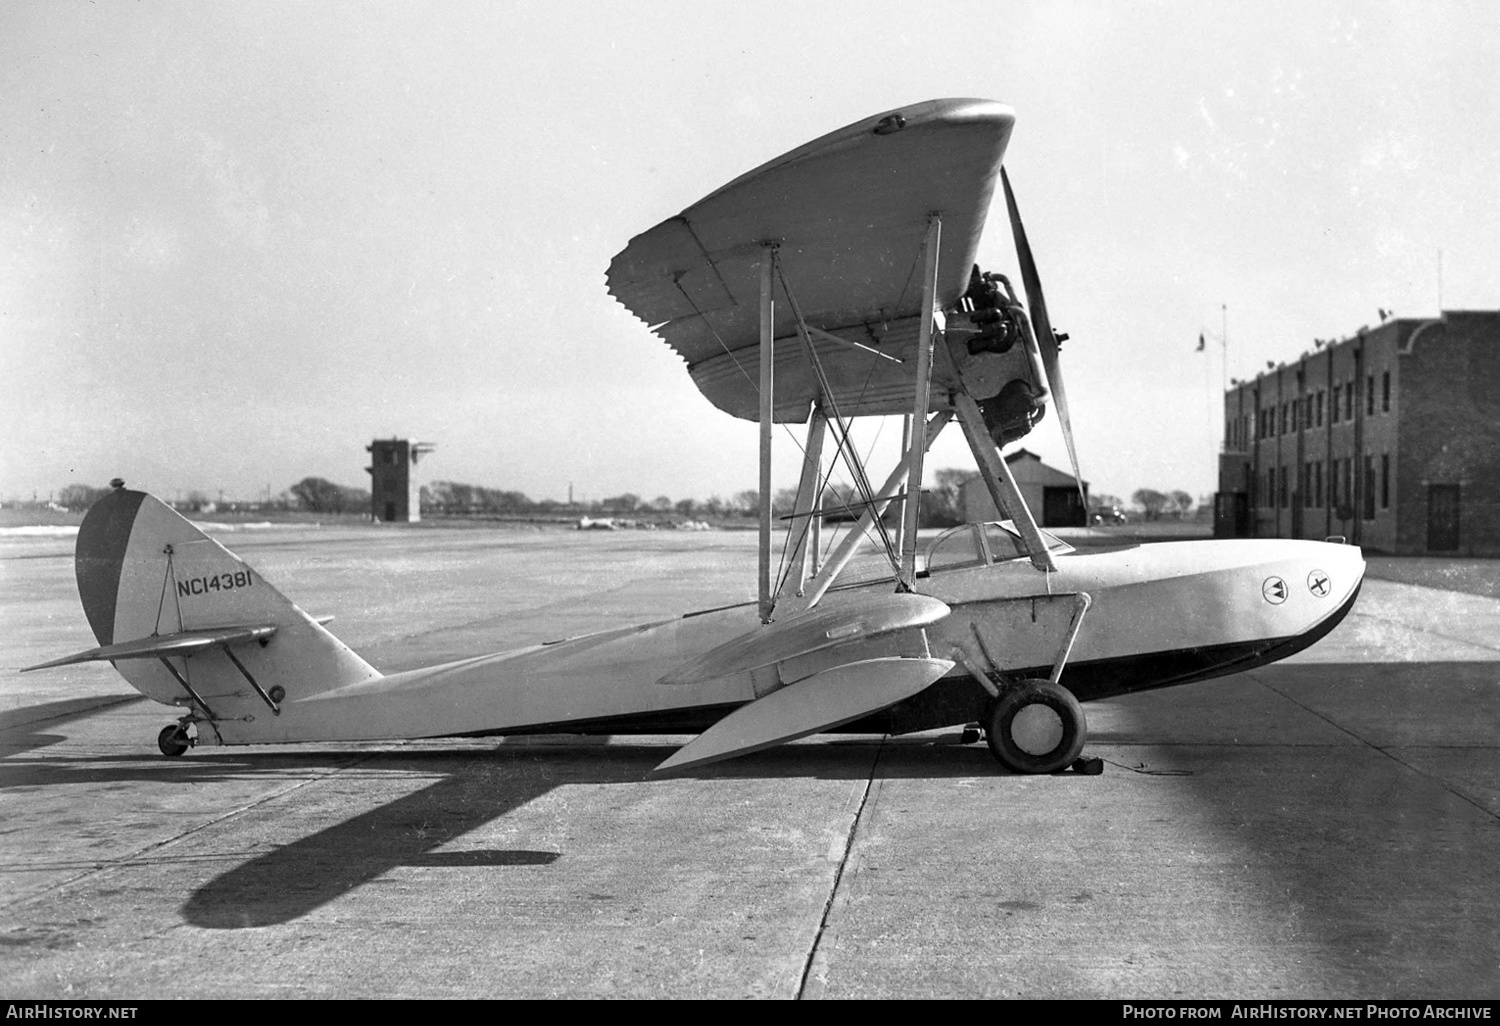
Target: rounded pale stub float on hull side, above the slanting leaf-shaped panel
point(809, 632)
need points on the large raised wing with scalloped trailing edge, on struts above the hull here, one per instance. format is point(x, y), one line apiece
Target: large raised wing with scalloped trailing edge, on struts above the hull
point(848, 214)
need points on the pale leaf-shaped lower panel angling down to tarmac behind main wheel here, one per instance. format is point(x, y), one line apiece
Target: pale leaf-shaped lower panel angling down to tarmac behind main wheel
point(821, 703)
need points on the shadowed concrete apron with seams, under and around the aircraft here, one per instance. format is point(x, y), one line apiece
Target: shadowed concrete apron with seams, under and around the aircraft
point(1325, 827)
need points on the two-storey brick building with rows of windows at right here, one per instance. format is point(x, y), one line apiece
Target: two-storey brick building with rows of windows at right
point(1390, 439)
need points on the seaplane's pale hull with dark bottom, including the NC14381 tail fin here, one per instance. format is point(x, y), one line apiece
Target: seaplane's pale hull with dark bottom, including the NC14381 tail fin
point(1156, 616)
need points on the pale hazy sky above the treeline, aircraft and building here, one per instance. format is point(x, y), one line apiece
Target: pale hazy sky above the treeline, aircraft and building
point(241, 241)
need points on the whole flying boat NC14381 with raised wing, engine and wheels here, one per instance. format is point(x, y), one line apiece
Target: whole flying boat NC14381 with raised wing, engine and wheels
point(832, 284)
